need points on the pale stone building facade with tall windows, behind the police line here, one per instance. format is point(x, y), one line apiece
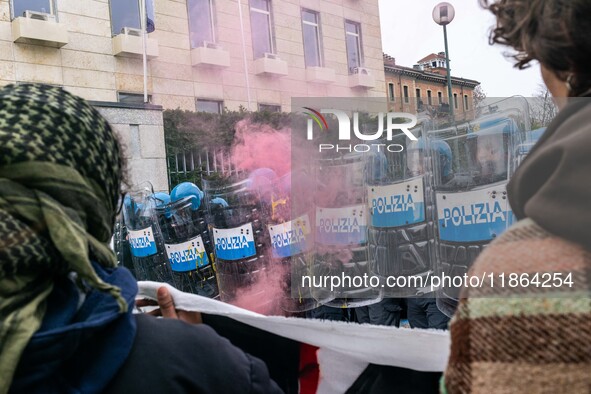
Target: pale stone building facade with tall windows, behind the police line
point(203, 55)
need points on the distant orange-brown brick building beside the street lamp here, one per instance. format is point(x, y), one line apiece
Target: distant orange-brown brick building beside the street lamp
point(423, 88)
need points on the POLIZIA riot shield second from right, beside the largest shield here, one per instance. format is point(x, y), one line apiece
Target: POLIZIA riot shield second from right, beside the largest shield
point(401, 213)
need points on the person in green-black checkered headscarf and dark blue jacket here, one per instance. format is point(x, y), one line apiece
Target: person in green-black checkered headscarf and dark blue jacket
point(65, 308)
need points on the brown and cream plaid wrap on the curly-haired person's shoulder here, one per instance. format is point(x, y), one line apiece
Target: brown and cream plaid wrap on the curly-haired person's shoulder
point(526, 338)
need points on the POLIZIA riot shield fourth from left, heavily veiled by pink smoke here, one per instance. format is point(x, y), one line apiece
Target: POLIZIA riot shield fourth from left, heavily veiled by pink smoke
point(292, 240)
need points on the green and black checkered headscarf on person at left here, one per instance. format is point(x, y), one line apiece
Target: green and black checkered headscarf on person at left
point(60, 172)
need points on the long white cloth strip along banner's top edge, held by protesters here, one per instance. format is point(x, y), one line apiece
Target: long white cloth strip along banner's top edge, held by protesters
point(421, 350)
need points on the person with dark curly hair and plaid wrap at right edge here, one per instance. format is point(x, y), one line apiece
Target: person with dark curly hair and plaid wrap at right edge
point(534, 338)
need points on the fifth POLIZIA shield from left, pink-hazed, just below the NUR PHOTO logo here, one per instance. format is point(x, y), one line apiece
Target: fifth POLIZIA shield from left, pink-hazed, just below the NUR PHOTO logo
point(341, 218)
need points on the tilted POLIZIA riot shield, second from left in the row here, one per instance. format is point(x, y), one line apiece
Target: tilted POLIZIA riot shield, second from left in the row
point(188, 247)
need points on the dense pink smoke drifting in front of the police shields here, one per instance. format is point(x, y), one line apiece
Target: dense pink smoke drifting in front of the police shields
point(261, 147)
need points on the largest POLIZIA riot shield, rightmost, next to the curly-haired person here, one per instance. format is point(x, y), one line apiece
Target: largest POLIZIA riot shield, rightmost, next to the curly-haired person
point(472, 204)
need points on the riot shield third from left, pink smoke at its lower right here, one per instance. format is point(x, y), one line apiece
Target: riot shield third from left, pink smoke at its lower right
point(237, 221)
